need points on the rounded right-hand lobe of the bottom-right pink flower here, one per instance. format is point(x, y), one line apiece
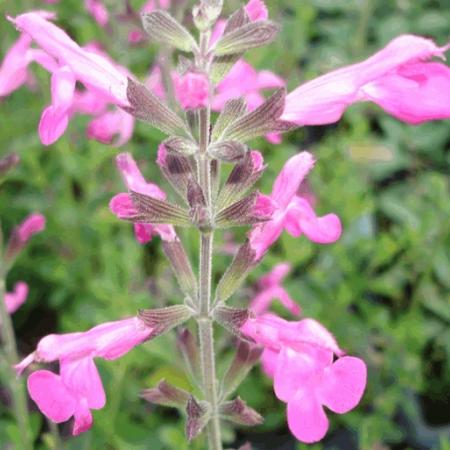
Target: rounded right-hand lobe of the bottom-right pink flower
point(343, 384)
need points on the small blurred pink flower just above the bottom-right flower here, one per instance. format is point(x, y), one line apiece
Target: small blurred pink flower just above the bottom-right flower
point(270, 288)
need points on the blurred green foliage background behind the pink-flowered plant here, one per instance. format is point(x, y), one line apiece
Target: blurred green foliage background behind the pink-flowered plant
point(383, 289)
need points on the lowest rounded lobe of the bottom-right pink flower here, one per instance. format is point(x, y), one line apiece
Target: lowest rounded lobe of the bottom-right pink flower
point(306, 418)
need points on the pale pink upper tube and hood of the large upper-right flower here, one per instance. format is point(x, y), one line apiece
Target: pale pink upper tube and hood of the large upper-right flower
point(324, 99)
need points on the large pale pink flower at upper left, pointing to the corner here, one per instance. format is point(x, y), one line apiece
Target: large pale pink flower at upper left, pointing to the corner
point(104, 79)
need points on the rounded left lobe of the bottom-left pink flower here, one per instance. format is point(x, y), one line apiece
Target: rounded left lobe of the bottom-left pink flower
point(51, 395)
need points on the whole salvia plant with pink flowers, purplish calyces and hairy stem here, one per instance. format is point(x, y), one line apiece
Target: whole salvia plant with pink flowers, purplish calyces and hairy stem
point(213, 172)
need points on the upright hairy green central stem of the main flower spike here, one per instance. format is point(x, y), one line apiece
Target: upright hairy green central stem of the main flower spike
point(205, 323)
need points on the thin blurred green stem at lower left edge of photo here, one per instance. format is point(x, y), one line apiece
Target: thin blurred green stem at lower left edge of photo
point(15, 385)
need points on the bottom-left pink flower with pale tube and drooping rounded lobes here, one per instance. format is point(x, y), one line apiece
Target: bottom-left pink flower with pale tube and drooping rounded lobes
point(78, 388)
